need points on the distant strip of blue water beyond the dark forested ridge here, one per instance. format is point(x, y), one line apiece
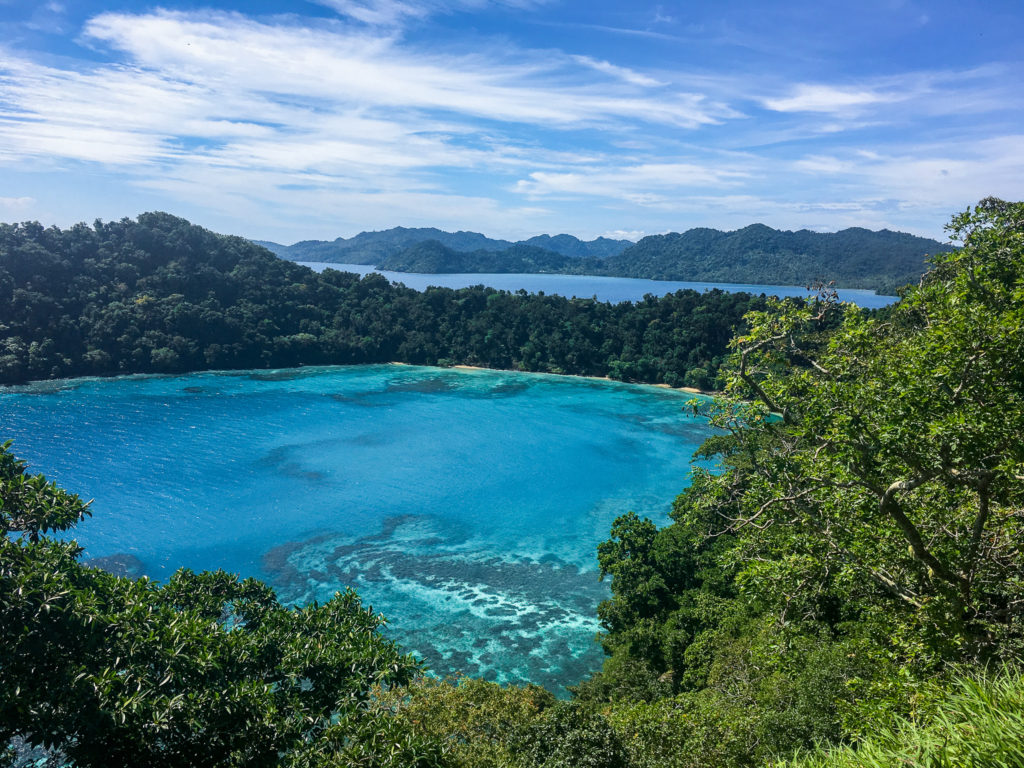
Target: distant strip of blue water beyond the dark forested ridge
point(586, 286)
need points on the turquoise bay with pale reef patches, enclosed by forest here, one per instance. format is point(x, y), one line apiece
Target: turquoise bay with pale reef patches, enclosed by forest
point(464, 505)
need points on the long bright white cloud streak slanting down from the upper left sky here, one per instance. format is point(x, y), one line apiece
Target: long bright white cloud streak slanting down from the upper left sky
point(345, 68)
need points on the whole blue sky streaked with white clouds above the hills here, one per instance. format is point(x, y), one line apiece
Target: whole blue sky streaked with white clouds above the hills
point(290, 121)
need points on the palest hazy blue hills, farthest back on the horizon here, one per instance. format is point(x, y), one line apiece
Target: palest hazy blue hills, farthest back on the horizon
point(375, 248)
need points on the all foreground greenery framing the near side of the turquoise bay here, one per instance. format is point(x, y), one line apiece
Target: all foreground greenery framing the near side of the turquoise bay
point(845, 589)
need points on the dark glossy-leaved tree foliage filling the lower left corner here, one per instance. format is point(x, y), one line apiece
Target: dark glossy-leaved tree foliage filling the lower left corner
point(207, 670)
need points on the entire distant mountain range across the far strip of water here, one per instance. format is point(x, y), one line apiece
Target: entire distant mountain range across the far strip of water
point(757, 254)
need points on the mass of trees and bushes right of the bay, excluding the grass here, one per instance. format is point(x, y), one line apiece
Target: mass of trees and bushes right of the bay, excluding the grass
point(862, 533)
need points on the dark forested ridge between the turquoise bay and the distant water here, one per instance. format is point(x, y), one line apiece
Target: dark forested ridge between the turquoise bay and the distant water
point(160, 295)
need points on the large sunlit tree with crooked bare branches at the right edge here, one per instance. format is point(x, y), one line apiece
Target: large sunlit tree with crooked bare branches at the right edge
point(882, 462)
